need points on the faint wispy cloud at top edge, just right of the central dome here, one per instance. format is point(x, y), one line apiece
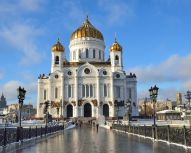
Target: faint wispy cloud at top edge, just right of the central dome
point(117, 12)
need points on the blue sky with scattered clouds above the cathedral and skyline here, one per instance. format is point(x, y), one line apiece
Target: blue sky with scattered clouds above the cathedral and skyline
point(155, 35)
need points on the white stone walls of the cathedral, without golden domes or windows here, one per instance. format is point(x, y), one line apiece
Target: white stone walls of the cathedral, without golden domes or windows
point(78, 78)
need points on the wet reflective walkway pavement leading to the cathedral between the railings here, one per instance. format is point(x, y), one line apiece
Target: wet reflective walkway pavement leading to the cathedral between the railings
point(87, 140)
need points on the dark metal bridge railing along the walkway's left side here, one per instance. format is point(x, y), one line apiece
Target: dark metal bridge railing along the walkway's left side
point(15, 134)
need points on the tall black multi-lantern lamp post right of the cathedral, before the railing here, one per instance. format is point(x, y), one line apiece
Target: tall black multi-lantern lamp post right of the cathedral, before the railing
point(153, 95)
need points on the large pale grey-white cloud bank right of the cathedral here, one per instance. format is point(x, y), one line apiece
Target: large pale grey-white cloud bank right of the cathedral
point(175, 68)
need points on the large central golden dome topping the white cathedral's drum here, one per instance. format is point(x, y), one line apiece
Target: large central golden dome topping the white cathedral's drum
point(87, 30)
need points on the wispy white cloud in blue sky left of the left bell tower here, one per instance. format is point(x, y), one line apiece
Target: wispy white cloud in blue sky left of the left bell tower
point(21, 37)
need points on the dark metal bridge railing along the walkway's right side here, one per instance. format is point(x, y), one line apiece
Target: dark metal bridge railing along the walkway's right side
point(179, 135)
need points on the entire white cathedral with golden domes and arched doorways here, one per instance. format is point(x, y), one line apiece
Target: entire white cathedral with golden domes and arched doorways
point(87, 85)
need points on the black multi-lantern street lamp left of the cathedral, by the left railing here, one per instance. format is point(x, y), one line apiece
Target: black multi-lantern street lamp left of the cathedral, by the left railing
point(21, 96)
